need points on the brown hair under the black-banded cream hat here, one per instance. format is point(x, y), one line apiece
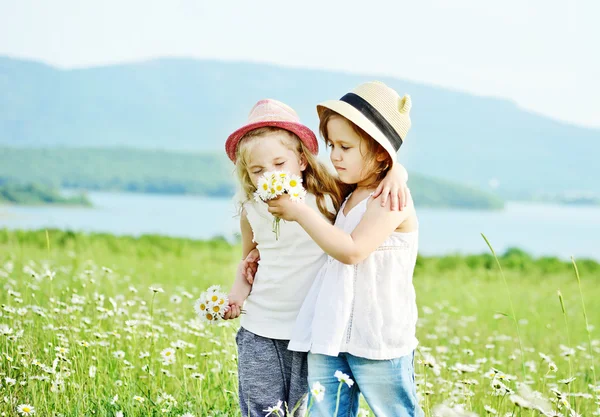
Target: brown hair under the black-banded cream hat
point(374, 149)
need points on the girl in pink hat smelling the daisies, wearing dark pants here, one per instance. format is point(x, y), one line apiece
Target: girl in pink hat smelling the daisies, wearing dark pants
point(274, 140)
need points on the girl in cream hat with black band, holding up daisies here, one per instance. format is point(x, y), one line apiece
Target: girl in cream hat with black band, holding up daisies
point(358, 320)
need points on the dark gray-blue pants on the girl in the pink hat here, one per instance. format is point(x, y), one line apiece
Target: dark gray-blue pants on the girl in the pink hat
point(268, 372)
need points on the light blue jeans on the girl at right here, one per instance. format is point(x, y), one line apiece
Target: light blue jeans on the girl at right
point(387, 385)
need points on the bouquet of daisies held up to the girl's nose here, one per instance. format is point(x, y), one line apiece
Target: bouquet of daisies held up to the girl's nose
point(273, 184)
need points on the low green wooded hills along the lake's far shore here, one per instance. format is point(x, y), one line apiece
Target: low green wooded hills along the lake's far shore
point(152, 171)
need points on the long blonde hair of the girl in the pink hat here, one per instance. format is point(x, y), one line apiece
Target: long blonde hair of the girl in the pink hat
point(317, 179)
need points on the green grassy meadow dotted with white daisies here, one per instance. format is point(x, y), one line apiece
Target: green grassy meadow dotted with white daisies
point(82, 333)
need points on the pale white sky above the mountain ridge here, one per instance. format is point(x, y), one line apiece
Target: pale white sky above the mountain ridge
point(542, 54)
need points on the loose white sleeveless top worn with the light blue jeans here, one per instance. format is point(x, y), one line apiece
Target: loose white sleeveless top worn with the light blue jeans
point(368, 309)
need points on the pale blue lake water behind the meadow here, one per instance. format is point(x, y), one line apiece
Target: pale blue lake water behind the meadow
point(541, 229)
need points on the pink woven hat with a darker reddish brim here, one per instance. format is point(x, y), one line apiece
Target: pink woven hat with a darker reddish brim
point(269, 112)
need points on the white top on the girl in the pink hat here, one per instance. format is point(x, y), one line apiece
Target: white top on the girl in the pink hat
point(286, 271)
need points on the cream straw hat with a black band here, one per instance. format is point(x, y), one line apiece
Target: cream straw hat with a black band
point(378, 110)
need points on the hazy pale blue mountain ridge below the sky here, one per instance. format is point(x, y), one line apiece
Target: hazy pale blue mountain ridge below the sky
point(184, 104)
